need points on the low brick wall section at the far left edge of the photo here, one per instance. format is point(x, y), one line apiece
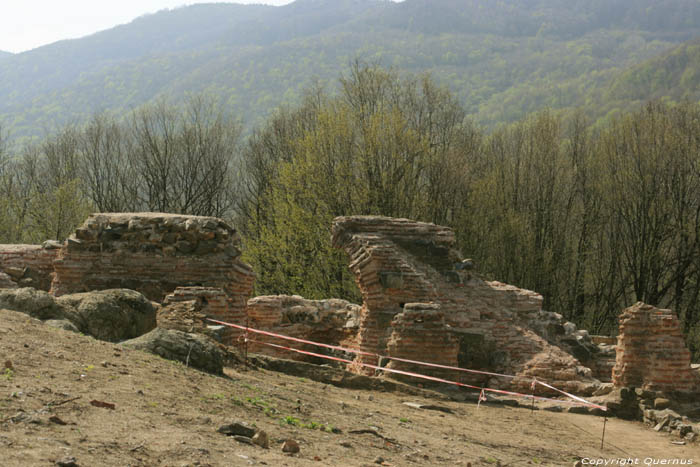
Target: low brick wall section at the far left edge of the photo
point(27, 265)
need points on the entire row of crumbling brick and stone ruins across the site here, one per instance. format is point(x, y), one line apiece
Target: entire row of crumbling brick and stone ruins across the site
point(421, 301)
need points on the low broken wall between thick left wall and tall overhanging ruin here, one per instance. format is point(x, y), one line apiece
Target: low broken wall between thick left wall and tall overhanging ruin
point(332, 321)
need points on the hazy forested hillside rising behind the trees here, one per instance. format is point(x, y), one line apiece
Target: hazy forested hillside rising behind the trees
point(502, 59)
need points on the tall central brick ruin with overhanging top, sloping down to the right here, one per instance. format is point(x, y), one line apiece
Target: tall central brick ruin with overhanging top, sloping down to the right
point(400, 261)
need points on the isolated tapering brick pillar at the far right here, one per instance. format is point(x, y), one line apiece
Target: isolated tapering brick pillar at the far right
point(651, 352)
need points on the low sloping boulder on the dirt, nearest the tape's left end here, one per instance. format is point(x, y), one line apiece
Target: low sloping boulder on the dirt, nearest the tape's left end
point(193, 350)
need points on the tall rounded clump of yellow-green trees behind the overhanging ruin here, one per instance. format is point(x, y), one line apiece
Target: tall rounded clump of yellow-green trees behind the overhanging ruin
point(386, 145)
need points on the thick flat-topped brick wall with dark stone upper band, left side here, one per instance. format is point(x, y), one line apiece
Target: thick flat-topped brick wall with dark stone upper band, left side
point(153, 253)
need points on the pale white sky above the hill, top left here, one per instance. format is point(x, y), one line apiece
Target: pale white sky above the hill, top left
point(27, 24)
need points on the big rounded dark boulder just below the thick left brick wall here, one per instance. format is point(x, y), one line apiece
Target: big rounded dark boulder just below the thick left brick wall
point(111, 315)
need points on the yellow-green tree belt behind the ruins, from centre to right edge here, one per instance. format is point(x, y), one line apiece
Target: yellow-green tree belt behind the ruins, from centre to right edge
point(592, 220)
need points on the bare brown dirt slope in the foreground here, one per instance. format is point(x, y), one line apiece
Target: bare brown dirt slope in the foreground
point(167, 414)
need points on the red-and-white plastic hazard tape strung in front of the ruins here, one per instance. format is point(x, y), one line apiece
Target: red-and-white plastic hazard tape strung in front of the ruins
point(575, 399)
